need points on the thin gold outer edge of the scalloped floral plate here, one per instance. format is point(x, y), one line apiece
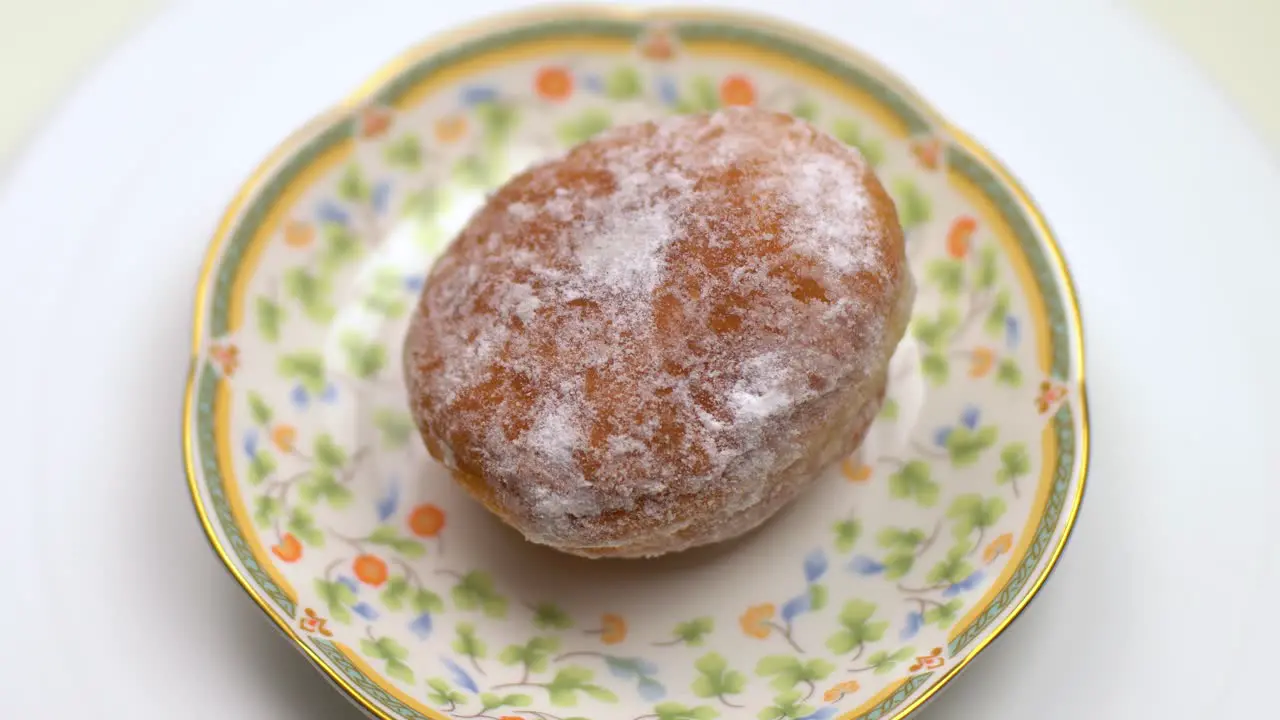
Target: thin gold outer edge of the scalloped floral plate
point(409, 58)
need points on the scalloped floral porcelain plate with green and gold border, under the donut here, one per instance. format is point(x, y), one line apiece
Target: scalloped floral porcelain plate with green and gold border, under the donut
point(861, 601)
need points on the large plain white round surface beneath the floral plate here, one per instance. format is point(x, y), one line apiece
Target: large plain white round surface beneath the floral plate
point(1163, 607)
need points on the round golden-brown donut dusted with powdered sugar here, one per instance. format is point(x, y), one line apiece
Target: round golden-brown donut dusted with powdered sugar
point(660, 339)
